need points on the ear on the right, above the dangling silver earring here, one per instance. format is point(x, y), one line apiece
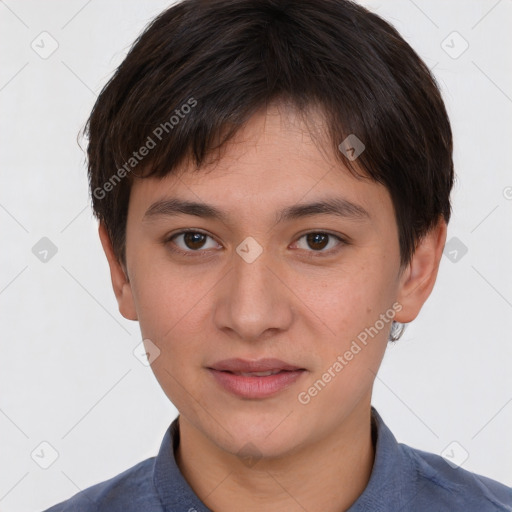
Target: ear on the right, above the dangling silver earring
point(418, 278)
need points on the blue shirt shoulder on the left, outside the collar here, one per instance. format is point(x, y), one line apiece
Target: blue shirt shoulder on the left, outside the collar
point(132, 489)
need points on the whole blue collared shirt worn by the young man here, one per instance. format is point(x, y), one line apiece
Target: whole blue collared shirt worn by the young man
point(402, 479)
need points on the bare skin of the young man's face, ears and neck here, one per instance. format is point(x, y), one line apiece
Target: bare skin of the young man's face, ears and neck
point(298, 302)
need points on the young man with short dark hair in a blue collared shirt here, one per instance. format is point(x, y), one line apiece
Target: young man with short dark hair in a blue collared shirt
point(272, 181)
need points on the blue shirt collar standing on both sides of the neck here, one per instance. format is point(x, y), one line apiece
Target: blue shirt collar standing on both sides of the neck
point(390, 486)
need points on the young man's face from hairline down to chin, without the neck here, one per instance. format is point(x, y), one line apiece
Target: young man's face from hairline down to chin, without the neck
point(266, 277)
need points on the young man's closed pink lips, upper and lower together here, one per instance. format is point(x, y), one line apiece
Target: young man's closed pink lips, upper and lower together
point(255, 379)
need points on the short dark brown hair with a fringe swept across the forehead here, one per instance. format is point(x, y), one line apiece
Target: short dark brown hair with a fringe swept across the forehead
point(201, 69)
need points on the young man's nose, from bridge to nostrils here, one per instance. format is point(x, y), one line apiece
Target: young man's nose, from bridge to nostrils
point(254, 302)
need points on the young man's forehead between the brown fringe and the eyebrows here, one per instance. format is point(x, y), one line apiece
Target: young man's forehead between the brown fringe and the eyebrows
point(274, 161)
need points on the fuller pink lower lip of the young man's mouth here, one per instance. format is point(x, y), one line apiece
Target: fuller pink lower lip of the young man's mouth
point(256, 387)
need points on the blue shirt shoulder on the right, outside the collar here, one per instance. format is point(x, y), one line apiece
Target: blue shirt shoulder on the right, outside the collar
point(448, 487)
